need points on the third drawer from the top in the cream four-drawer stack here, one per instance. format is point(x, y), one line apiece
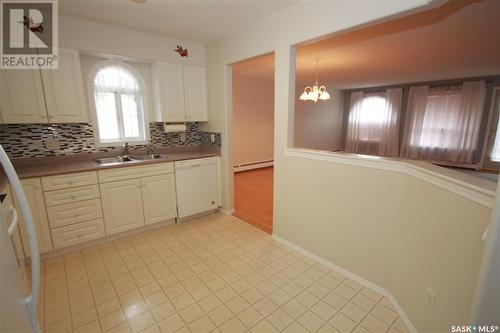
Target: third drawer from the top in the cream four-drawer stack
point(74, 212)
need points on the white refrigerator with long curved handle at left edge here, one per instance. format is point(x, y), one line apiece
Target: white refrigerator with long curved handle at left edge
point(18, 312)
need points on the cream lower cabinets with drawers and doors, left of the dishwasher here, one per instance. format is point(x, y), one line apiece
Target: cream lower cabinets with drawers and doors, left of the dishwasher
point(70, 209)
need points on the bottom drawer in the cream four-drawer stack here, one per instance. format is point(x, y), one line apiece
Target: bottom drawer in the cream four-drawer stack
point(77, 233)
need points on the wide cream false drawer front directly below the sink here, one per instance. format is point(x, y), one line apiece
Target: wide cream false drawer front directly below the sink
point(135, 172)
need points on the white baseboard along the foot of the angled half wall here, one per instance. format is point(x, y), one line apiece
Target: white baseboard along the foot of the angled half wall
point(362, 281)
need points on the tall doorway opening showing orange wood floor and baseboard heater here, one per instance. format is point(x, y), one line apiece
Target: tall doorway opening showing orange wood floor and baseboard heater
point(253, 140)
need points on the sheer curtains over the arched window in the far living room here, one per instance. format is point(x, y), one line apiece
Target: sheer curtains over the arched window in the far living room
point(373, 125)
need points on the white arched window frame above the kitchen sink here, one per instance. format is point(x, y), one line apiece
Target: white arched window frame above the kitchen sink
point(143, 115)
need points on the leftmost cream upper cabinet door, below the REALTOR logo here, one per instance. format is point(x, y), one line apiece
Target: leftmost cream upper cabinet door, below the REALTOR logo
point(21, 97)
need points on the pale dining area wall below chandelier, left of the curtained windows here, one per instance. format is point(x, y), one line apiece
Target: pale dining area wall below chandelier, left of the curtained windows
point(319, 125)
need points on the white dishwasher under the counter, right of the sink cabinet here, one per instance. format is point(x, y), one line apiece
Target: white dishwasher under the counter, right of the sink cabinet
point(197, 185)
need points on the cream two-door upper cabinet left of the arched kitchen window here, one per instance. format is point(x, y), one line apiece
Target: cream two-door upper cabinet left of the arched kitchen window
point(44, 96)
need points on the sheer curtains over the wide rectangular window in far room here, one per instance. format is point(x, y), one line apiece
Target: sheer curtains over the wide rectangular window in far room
point(443, 125)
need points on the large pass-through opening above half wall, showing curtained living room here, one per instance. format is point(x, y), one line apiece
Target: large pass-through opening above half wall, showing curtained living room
point(393, 93)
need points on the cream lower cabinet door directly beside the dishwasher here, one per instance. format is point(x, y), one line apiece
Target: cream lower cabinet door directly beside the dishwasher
point(158, 194)
